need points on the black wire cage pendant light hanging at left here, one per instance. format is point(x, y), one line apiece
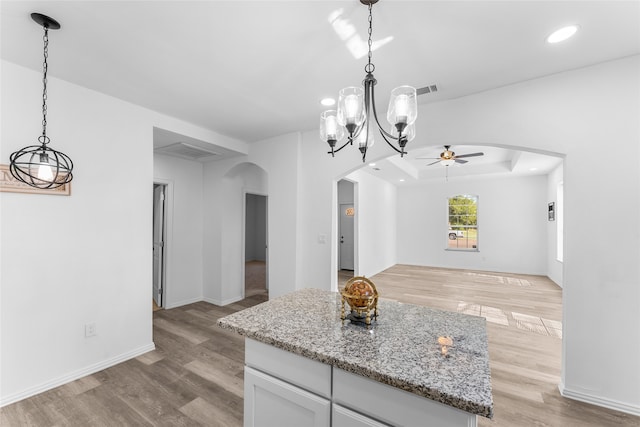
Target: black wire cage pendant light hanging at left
point(39, 165)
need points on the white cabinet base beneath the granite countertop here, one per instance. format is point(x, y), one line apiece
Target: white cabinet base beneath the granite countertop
point(283, 389)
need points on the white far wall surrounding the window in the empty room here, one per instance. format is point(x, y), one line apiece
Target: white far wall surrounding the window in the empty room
point(512, 224)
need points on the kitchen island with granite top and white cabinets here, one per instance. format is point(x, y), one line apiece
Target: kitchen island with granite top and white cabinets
point(304, 366)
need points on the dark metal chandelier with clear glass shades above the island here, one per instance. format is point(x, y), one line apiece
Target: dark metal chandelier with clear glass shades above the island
point(356, 105)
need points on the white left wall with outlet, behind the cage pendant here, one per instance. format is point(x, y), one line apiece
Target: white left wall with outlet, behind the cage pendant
point(94, 264)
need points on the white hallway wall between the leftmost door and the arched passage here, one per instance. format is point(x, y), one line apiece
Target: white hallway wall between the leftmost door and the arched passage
point(183, 243)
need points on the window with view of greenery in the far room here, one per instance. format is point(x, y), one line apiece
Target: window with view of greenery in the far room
point(462, 231)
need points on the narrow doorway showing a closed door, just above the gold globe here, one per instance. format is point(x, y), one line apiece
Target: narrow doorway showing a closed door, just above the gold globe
point(346, 230)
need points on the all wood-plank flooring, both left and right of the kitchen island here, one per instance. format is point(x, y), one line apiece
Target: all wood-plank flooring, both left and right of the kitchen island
point(194, 377)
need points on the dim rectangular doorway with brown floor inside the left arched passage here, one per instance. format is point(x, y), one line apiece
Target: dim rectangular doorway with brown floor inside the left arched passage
point(255, 246)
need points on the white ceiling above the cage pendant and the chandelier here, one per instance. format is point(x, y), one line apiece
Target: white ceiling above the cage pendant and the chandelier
point(256, 69)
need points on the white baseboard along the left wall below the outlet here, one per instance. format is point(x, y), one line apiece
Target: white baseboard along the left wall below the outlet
point(91, 369)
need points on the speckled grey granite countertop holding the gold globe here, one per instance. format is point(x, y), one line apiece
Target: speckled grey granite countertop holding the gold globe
point(400, 349)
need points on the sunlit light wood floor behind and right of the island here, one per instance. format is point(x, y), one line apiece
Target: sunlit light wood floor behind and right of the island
point(524, 327)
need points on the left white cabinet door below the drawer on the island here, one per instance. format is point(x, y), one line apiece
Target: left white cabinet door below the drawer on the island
point(269, 402)
